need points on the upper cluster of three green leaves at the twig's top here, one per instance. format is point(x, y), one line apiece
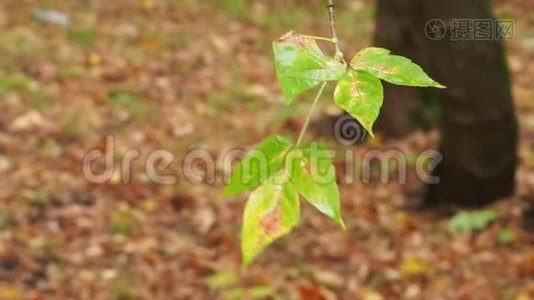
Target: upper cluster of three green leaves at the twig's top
point(301, 65)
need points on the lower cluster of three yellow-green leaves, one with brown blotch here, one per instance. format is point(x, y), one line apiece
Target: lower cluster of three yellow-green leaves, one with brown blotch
point(279, 171)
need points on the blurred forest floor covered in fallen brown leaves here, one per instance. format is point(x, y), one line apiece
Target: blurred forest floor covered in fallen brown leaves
point(197, 78)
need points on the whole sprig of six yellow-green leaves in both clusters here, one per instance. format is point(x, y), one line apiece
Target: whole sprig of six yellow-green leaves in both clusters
point(279, 171)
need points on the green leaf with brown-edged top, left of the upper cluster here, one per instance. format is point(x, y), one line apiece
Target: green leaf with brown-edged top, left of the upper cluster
point(301, 65)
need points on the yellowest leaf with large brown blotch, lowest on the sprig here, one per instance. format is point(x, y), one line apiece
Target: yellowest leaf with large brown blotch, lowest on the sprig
point(271, 212)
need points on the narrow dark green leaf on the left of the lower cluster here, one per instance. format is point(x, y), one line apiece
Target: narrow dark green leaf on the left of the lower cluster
point(257, 166)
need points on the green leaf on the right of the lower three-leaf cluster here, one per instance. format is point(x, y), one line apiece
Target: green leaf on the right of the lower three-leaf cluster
point(314, 176)
